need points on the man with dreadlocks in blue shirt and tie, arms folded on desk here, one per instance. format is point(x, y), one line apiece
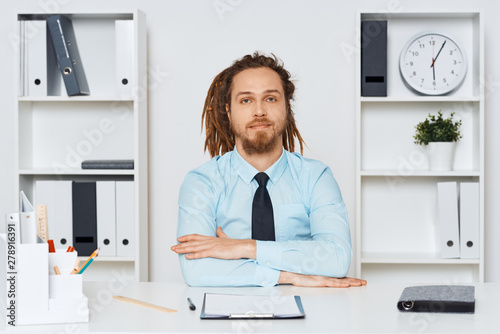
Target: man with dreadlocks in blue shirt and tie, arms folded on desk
point(250, 129)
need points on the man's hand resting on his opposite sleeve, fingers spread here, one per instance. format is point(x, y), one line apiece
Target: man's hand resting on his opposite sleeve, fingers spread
point(197, 246)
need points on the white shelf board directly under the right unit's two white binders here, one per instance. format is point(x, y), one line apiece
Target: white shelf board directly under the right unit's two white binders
point(414, 258)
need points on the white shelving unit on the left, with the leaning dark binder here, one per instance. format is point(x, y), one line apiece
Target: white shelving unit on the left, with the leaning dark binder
point(55, 133)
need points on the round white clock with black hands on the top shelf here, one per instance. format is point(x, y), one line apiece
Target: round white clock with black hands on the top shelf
point(432, 64)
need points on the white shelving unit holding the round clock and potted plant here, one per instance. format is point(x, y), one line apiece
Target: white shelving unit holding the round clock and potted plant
point(396, 223)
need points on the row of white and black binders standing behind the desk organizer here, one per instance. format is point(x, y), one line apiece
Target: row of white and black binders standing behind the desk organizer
point(90, 215)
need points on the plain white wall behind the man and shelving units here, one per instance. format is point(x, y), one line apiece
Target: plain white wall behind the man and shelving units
point(191, 41)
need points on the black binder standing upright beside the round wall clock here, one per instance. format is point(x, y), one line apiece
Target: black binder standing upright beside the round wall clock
point(374, 58)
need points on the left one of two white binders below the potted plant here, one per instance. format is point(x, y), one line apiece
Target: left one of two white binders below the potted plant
point(448, 219)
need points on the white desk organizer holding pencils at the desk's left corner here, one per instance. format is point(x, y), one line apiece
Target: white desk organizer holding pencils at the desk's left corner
point(44, 297)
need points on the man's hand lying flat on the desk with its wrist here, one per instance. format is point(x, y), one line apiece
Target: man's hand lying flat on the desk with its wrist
point(318, 281)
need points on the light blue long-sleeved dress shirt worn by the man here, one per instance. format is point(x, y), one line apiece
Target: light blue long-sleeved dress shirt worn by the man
point(310, 220)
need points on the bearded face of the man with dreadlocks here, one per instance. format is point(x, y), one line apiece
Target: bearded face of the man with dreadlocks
point(258, 111)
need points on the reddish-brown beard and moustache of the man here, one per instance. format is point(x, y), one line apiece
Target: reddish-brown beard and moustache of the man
point(263, 141)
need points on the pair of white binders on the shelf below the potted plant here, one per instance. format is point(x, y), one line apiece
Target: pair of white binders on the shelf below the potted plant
point(458, 215)
